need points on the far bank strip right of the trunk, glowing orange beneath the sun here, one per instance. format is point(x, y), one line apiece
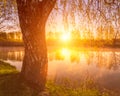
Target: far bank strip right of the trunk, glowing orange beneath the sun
point(85, 43)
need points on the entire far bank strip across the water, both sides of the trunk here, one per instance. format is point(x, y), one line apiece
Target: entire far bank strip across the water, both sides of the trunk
point(77, 43)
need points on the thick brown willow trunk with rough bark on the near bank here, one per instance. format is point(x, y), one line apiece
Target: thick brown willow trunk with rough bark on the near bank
point(33, 15)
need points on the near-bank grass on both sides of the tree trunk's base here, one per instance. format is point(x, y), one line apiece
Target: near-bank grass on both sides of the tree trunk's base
point(11, 85)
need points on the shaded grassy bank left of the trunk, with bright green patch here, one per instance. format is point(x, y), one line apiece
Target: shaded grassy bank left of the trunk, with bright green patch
point(10, 82)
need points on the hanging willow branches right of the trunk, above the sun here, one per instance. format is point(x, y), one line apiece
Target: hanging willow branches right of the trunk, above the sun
point(94, 19)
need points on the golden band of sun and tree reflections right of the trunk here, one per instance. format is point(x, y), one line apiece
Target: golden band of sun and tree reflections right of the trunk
point(102, 59)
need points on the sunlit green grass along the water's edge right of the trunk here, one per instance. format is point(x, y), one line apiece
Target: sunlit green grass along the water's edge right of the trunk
point(59, 90)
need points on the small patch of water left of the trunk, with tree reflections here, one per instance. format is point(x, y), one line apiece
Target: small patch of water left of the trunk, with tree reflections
point(12, 55)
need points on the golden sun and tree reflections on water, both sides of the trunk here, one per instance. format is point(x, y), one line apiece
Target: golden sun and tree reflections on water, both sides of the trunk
point(100, 58)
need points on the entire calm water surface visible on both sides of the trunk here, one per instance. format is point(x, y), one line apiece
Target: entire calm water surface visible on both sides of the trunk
point(102, 65)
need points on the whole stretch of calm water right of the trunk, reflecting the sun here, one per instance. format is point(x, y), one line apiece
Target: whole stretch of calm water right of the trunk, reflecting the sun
point(76, 64)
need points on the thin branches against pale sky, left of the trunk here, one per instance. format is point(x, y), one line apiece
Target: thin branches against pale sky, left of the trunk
point(7, 15)
